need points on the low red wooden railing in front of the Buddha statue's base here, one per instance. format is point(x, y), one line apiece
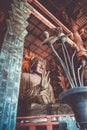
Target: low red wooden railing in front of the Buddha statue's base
point(31, 122)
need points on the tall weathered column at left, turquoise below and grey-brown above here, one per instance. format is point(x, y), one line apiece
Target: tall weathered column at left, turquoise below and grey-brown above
point(10, 64)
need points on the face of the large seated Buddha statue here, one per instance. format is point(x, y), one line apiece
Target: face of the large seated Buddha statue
point(41, 67)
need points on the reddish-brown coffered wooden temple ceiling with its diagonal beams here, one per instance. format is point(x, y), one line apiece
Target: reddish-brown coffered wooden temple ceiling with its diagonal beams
point(45, 16)
